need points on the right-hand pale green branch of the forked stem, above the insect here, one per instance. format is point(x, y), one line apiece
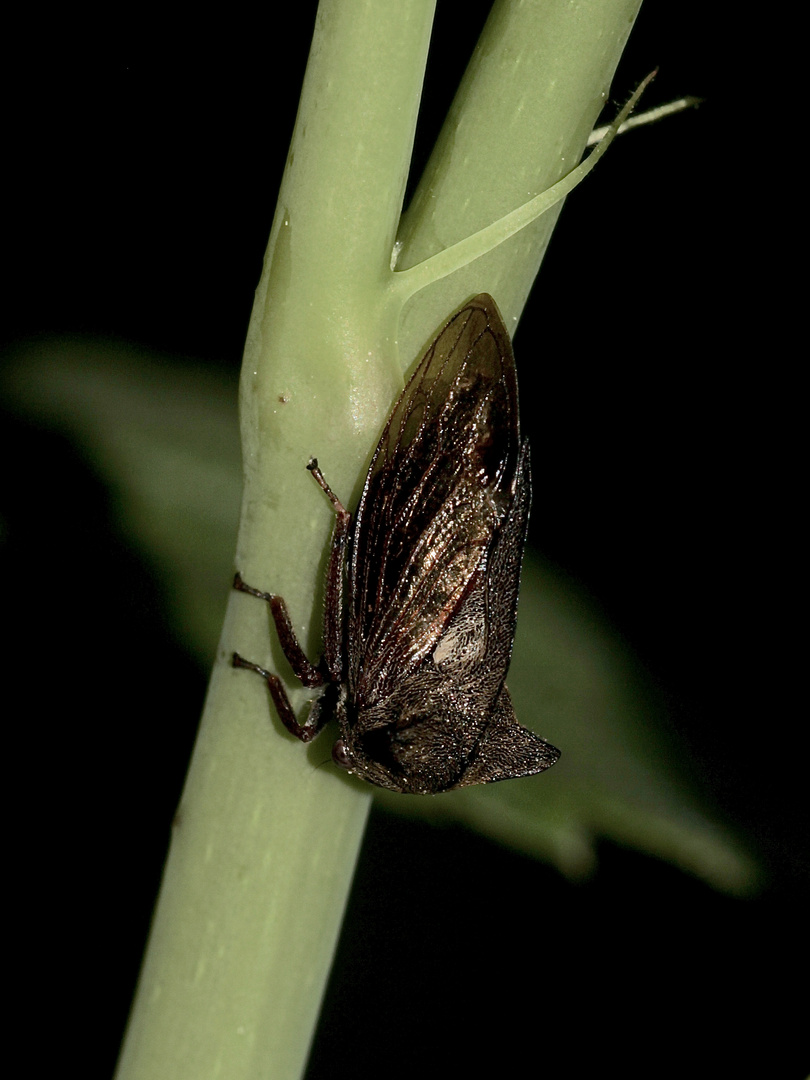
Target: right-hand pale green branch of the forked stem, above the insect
point(520, 123)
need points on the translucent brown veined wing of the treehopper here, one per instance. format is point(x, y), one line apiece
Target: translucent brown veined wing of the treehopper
point(441, 483)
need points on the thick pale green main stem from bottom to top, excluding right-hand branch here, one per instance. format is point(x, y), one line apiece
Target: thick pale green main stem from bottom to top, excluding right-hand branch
point(266, 841)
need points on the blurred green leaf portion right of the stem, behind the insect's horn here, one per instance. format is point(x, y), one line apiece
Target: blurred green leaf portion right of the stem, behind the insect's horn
point(622, 776)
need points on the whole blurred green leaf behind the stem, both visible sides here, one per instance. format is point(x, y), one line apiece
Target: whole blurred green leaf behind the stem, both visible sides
point(165, 435)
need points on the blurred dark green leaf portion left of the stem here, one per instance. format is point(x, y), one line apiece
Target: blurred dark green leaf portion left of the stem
point(164, 435)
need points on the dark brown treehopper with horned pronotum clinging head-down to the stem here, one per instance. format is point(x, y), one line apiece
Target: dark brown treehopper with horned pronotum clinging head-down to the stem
point(415, 658)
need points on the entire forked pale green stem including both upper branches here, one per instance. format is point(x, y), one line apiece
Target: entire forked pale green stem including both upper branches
point(266, 842)
